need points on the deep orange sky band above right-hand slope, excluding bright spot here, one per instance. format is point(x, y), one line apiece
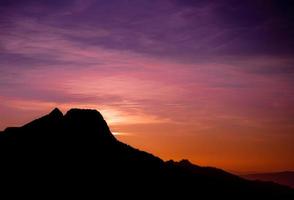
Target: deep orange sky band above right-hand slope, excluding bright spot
point(235, 154)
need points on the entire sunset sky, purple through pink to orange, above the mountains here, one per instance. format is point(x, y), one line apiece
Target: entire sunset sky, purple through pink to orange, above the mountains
point(209, 81)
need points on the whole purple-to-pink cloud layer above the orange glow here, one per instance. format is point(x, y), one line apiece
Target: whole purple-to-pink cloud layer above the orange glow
point(158, 59)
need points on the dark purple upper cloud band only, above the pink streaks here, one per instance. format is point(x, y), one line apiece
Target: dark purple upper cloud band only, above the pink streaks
point(181, 30)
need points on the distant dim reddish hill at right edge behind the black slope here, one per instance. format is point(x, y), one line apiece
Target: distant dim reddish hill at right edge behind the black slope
point(284, 178)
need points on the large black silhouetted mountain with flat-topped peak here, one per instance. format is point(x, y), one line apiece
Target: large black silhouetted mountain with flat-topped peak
point(76, 154)
